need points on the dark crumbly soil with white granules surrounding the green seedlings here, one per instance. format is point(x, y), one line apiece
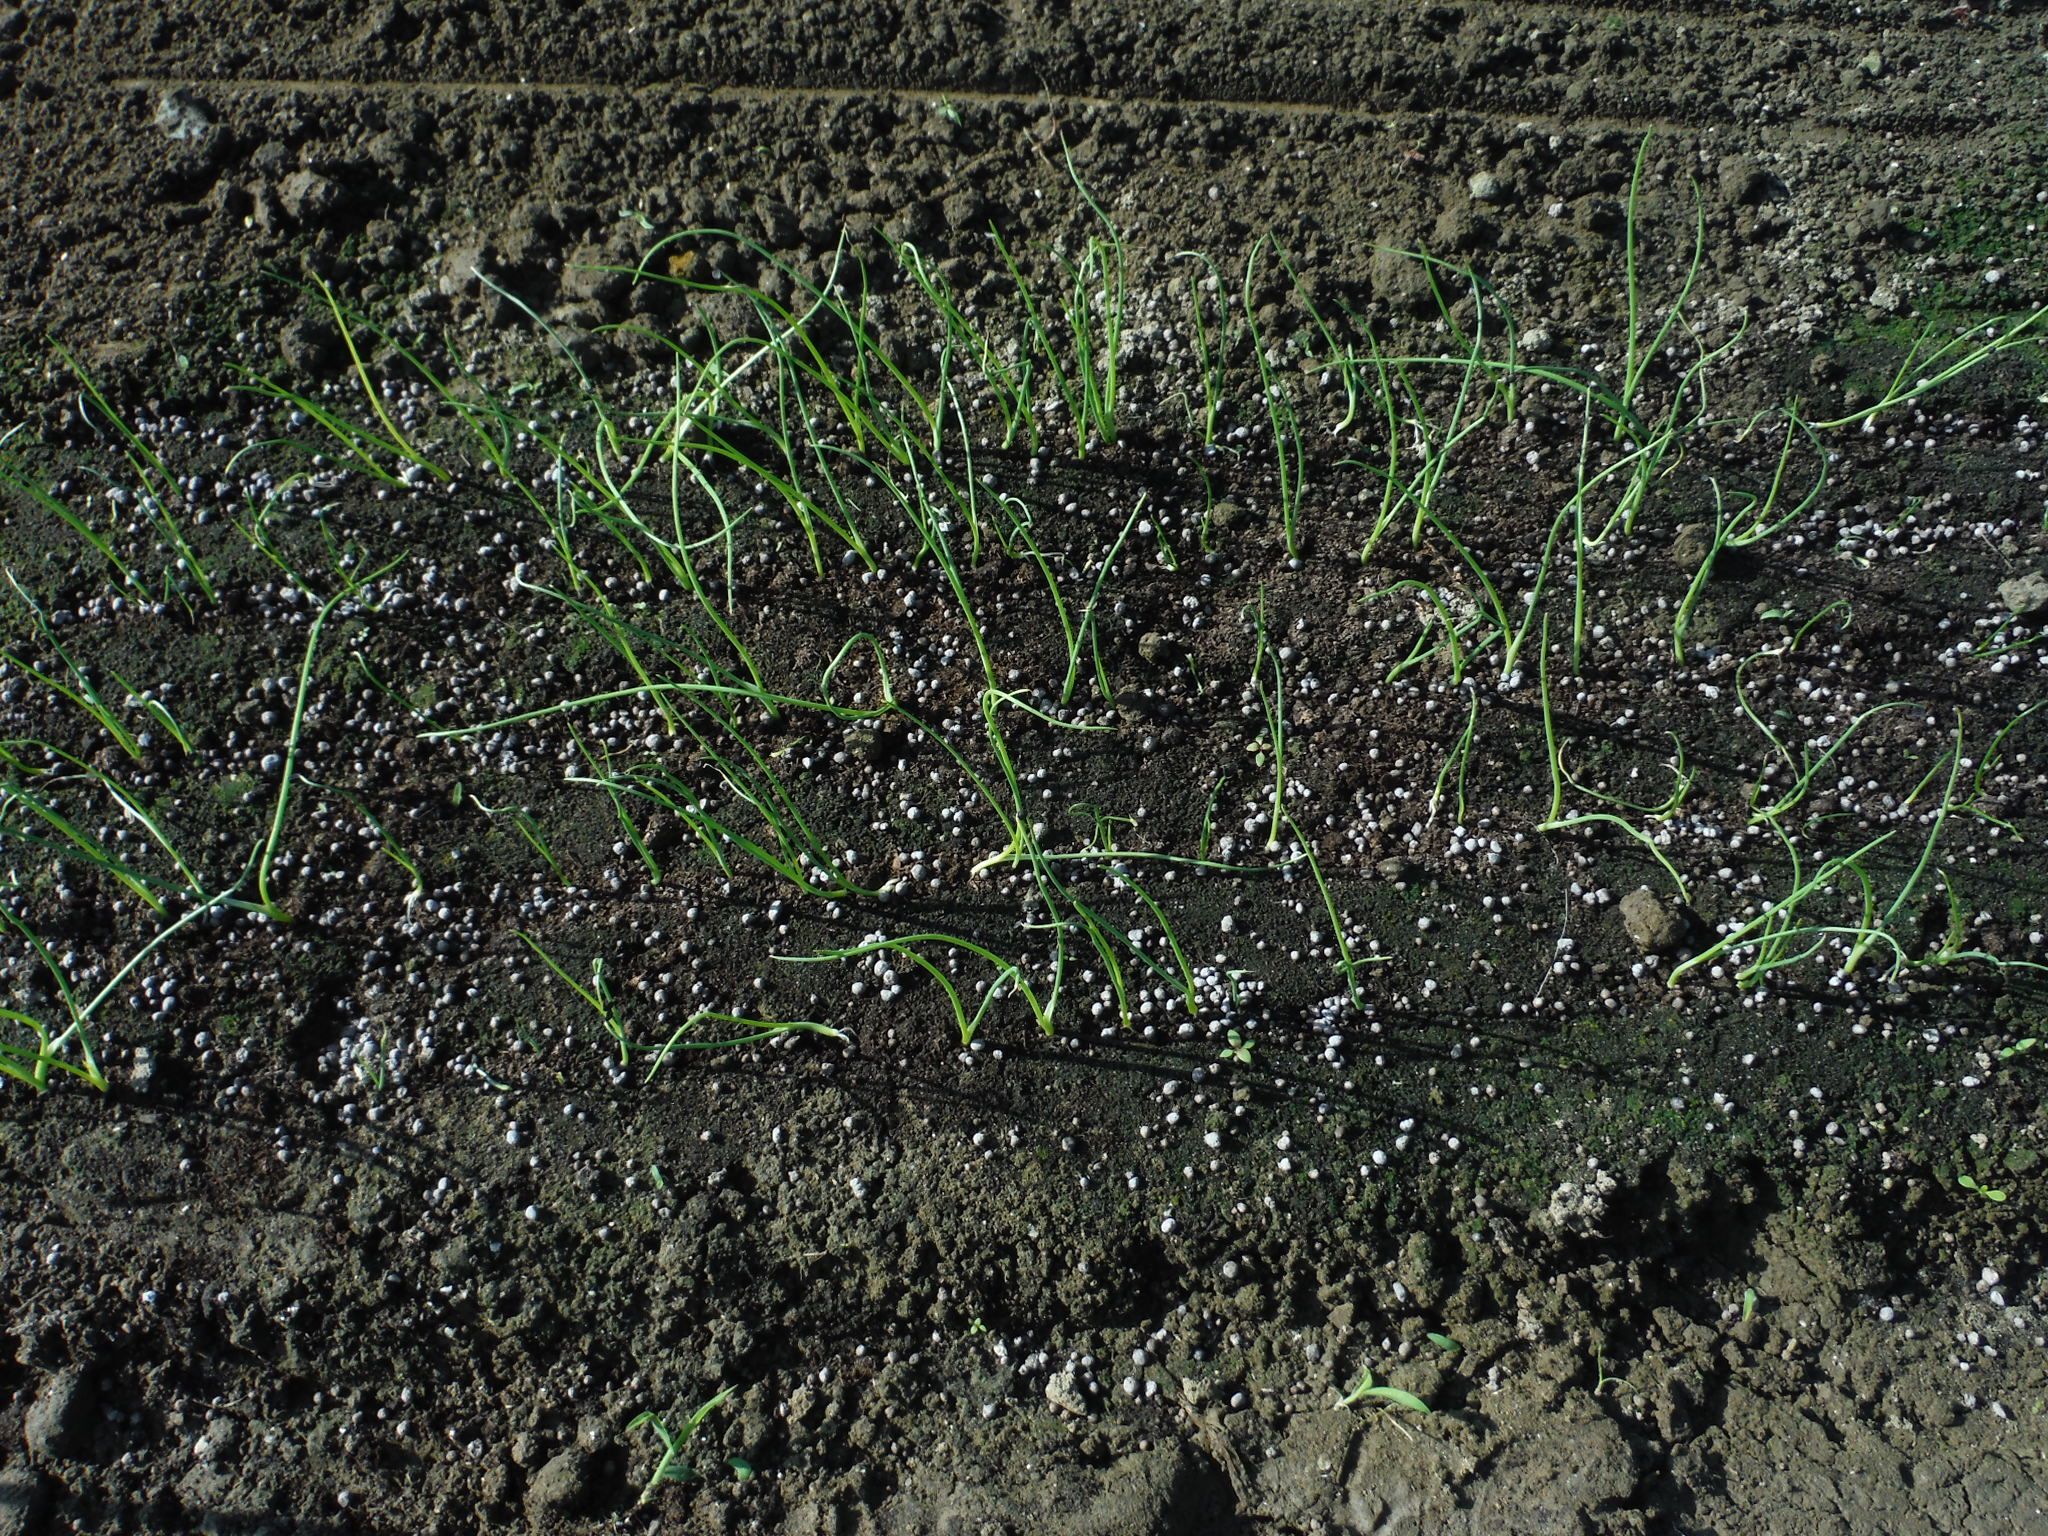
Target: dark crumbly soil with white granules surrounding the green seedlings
point(372, 1228)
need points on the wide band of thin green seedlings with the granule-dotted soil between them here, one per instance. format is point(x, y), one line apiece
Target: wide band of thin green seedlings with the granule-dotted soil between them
point(886, 652)
